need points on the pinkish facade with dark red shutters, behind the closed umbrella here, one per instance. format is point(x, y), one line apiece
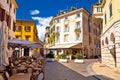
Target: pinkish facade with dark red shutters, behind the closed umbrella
point(8, 11)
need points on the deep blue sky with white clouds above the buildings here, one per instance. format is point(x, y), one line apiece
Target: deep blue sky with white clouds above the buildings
point(42, 11)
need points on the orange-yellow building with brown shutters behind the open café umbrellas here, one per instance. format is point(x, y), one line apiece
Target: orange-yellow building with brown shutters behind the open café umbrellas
point(27, 30)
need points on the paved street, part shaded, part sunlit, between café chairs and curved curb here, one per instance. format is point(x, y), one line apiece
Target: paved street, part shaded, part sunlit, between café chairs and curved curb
point(68, 71)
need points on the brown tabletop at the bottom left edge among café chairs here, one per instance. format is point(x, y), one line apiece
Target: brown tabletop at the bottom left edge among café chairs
point(20, 76)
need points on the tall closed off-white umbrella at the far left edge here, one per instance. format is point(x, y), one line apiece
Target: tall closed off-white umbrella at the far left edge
point(3, 43)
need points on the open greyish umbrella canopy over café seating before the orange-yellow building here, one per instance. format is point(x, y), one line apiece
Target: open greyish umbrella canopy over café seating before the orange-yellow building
point(23, 43)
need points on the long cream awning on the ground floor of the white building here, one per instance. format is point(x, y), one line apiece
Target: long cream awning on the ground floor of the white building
point(66, 46)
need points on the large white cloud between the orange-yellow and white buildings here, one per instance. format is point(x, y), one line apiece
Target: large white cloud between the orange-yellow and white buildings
point(42, 23)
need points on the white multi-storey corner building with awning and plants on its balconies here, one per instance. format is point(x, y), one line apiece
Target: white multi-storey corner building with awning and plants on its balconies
point(66, 39)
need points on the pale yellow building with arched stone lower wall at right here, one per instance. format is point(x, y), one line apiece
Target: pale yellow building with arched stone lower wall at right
point(109, 11)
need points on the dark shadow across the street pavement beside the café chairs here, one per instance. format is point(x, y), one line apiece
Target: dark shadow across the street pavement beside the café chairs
point(57, 71)
